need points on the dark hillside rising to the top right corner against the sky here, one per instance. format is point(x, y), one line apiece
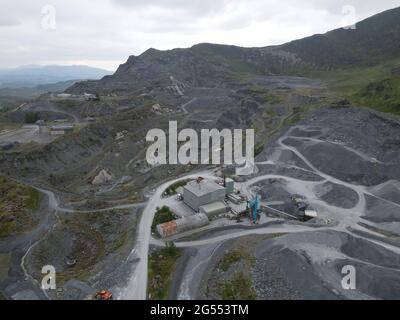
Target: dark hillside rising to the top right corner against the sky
point(374, 40)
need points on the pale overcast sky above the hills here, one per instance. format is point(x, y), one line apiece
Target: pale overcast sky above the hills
point(104, 33)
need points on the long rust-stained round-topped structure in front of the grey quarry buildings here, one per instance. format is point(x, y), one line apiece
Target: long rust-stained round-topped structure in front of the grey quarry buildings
point(183, 224)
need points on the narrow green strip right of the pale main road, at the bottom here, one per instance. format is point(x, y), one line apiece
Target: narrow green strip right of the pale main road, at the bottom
point(162, 264)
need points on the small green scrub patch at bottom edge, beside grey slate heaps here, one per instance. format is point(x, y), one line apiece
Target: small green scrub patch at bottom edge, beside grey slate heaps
point(239, 288)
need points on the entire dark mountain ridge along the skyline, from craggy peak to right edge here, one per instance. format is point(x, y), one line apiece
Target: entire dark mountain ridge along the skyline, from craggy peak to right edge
point(375, 39)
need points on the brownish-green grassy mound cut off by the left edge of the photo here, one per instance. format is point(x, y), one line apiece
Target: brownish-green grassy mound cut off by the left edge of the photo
point(18, 203)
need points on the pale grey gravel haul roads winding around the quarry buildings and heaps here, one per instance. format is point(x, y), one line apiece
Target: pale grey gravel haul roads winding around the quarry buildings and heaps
point(137, 285)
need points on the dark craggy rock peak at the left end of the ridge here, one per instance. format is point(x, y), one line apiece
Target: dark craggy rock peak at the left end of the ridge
point(155, 69)
